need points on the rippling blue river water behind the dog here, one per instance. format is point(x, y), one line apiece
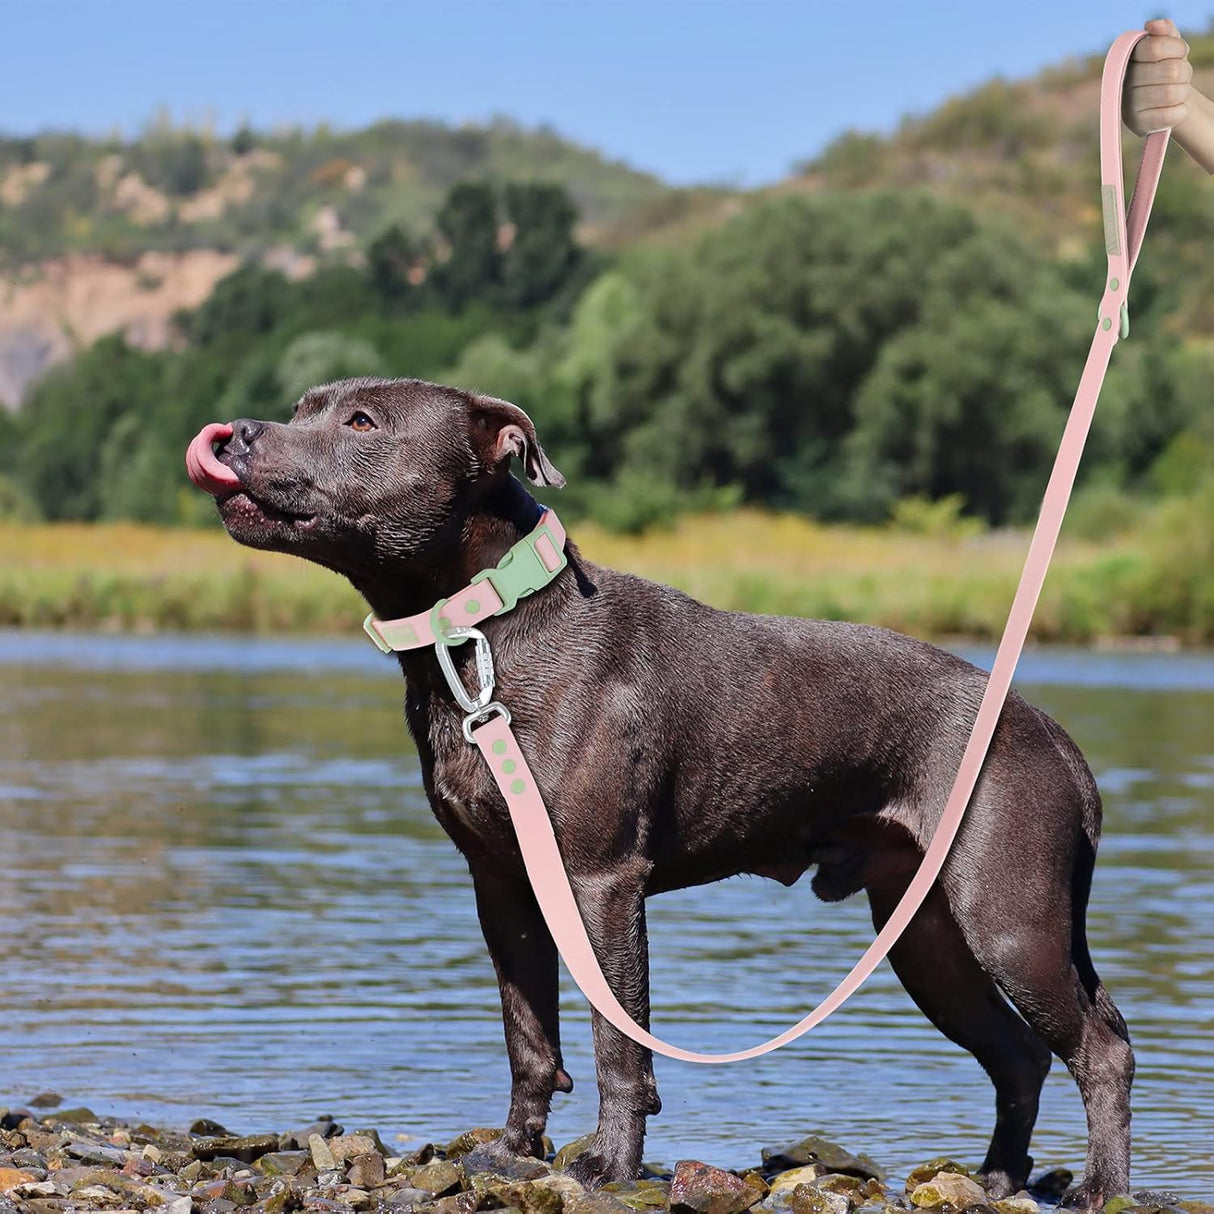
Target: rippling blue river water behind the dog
point(223, 894)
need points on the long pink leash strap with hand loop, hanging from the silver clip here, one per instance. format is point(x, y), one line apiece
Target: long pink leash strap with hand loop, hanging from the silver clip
point(542, 856)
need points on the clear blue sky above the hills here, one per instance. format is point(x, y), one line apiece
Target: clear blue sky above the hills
point(695, 90)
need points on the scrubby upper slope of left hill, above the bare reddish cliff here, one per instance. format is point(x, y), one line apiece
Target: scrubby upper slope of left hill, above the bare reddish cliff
point(313, 192)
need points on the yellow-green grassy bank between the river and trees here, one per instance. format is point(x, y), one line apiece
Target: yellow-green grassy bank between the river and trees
point(1155, 582)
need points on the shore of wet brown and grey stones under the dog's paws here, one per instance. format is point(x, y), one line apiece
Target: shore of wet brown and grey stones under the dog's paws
point(72, 1160)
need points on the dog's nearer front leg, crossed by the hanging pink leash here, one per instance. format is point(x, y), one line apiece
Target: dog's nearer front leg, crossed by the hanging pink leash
point(612, 905)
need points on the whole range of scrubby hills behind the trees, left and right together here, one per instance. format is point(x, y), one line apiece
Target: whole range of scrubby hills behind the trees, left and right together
point(99, 236)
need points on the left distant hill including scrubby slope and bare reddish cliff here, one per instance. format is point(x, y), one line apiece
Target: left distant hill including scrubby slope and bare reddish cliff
point(106, 235)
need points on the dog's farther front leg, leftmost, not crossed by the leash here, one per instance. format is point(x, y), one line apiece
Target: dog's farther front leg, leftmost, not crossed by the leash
point(525, 960)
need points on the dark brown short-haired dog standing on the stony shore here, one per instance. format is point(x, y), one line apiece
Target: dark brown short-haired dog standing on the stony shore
point(677, 745)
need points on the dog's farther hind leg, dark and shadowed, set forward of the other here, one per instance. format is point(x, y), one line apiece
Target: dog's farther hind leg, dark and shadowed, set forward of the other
point(940, 973)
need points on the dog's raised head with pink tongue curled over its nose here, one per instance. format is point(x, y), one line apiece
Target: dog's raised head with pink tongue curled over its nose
point(368, 472)
